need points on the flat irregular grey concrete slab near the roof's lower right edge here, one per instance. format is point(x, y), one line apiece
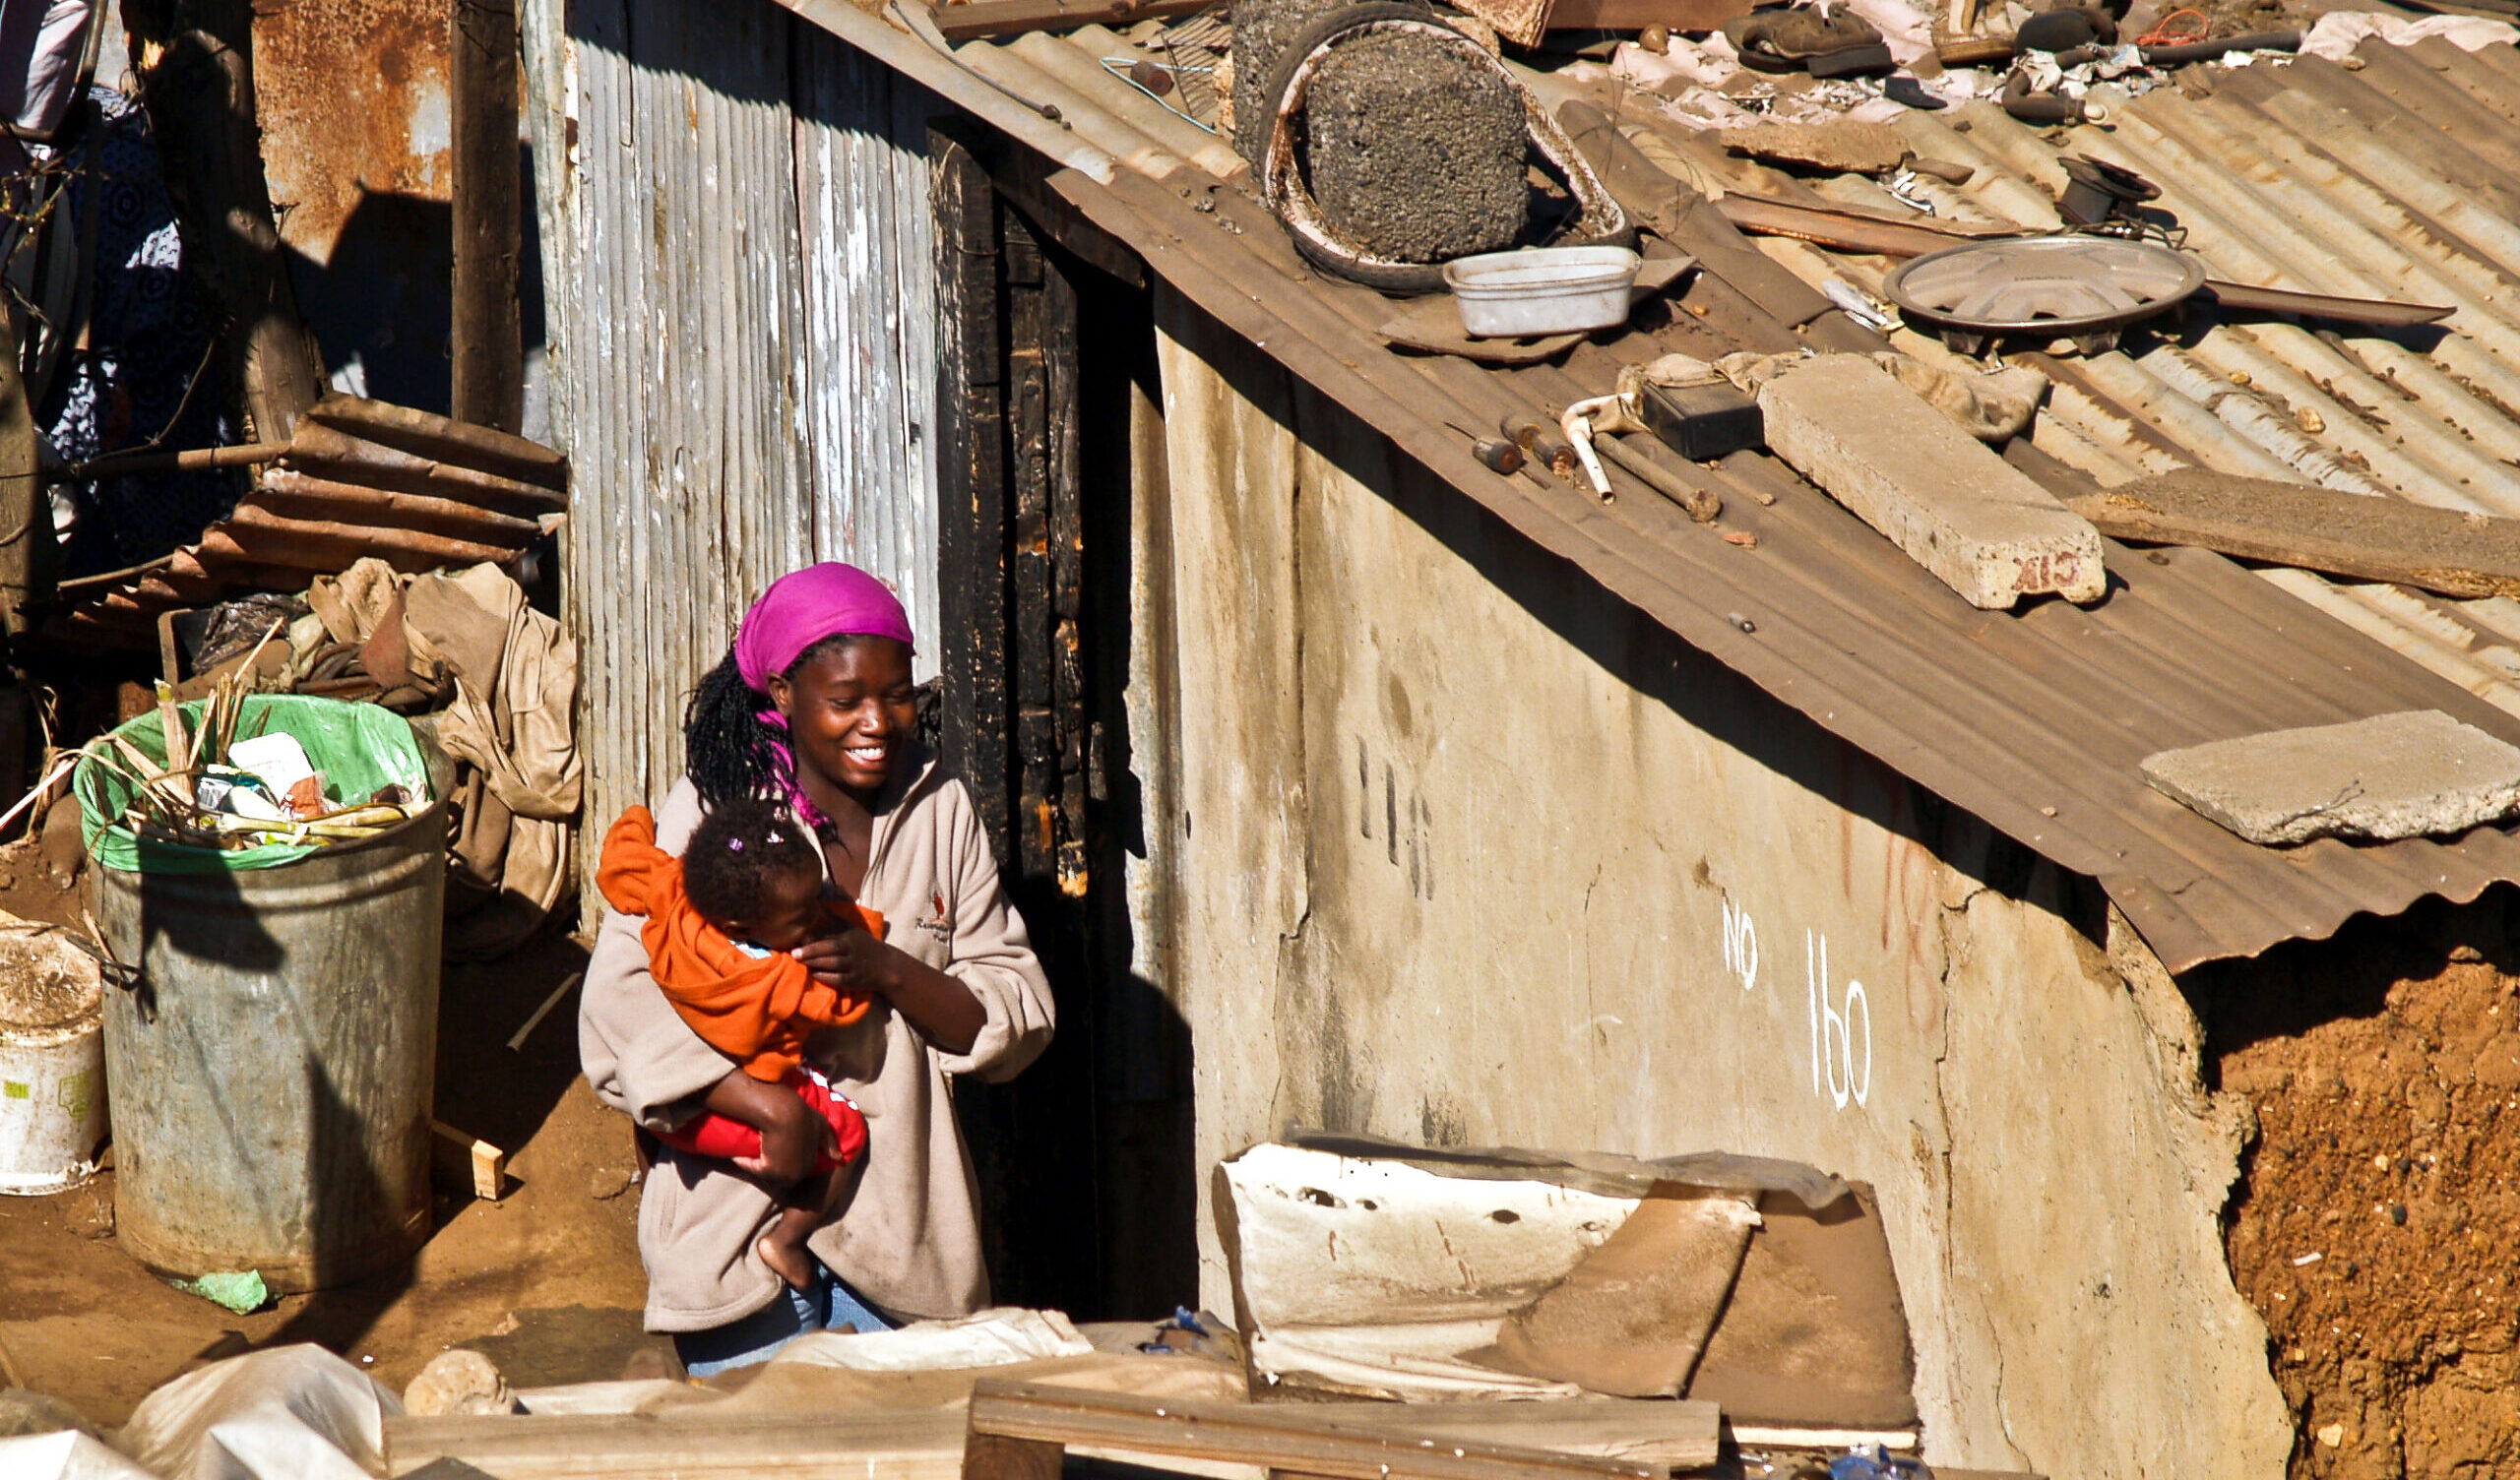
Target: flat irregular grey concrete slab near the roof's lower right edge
point(2395, 776)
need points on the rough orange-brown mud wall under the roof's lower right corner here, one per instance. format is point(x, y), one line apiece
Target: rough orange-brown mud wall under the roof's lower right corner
point(2378, 1227)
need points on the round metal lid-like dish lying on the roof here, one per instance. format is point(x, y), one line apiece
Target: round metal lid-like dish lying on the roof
point(2080, 288)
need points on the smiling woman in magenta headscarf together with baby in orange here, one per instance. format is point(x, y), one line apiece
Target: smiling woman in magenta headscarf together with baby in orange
point(712, 1031)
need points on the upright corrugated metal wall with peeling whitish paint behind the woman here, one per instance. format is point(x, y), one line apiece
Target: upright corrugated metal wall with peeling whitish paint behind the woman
point(737, 245)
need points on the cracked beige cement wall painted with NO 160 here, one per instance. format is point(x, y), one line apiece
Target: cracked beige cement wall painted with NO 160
point(1463, 849)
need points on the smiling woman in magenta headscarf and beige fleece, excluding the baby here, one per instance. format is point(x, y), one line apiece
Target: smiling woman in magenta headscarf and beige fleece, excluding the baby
point(813, 711)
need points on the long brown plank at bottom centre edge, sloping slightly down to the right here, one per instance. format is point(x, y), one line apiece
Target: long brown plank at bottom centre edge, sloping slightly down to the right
point(1291, 1438)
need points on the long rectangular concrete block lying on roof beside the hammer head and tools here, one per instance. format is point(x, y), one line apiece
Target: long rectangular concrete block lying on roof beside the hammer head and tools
point(1962, 512)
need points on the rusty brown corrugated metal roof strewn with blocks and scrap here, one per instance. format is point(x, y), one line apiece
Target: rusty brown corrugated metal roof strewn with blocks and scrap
point(2037, 719)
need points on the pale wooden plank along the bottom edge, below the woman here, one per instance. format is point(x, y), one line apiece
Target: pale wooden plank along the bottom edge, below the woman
point(752, 1446)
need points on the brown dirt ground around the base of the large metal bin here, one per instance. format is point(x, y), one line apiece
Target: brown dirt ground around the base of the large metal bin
point(546, 1280)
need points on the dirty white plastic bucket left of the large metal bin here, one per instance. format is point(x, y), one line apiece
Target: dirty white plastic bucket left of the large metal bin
point(52, 1061)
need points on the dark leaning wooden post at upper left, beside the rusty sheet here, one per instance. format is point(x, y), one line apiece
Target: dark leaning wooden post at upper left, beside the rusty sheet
point(203, 109)
